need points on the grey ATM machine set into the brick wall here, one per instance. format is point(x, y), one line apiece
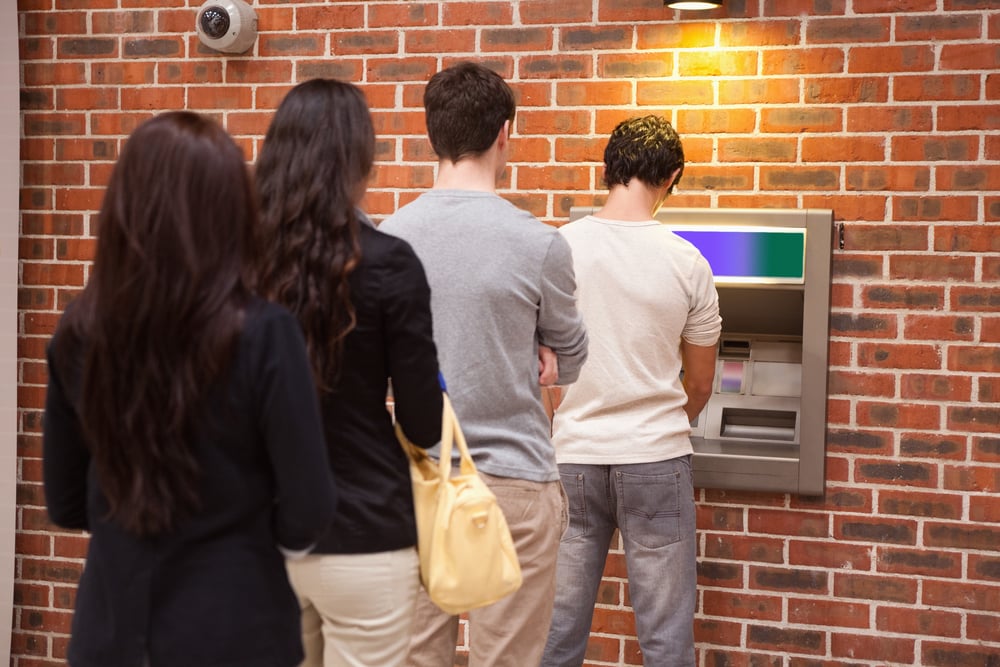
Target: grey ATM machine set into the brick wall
point(764, 428)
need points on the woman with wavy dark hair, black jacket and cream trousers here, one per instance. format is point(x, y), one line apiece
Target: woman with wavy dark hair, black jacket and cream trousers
point(364, 305)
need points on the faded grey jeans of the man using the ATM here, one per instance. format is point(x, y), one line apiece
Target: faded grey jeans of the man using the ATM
point(652, 504)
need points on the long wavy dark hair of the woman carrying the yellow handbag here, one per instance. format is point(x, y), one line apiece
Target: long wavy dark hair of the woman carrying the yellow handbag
point(313, 166)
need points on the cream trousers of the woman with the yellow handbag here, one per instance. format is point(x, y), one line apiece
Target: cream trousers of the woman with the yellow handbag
point(357, 609)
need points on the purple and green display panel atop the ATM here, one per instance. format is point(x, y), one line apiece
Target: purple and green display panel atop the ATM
point(751, 254)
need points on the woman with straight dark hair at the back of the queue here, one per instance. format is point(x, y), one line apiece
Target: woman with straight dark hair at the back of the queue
point(181, 424)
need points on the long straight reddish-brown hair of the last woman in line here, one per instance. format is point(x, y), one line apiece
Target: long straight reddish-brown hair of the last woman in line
point(158, 319)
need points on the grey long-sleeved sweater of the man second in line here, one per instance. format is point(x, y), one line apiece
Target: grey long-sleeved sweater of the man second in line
point(501, 283)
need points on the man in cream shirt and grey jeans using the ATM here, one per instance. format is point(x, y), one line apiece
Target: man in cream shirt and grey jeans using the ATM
point(622, 430)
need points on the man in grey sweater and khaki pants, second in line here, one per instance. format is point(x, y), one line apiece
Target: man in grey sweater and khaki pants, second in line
point(505, 319)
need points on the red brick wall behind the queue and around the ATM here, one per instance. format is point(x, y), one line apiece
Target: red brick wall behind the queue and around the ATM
point(886, 111)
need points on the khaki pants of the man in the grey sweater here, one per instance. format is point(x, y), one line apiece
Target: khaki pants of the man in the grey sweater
point(511, 632)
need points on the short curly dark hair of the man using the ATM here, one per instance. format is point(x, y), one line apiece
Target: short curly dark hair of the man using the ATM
point(647, 148)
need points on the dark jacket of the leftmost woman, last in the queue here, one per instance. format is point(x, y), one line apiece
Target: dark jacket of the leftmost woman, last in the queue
point(214, 592)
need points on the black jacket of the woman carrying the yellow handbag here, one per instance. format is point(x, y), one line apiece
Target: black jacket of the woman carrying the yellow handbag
point(393, 339)
